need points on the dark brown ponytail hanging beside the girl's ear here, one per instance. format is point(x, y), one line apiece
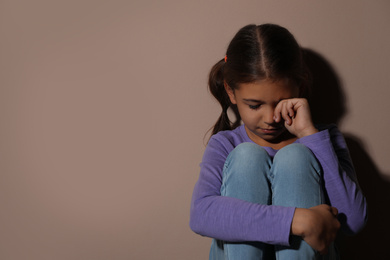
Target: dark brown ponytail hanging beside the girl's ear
point(217, 89)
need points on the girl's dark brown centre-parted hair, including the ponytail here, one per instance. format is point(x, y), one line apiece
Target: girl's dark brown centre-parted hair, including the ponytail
point(266, 51)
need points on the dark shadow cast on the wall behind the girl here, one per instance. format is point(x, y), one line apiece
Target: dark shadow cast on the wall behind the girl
point(327, 103)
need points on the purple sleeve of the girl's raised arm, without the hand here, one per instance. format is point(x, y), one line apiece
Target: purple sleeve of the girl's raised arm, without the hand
point(341, 184)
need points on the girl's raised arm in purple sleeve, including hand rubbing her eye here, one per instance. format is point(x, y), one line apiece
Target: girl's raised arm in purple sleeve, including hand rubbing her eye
point(331, 150)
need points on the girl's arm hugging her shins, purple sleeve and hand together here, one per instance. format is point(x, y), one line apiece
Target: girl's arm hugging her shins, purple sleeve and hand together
point(235, 220)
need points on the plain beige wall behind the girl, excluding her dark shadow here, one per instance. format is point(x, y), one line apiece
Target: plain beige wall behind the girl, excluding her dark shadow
point(104, 107)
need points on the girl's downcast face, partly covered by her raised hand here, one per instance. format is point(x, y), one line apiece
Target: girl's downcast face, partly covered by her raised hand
point(256, 103)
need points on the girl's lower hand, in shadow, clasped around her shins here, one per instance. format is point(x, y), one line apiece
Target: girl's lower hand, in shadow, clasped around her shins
point(318, 226)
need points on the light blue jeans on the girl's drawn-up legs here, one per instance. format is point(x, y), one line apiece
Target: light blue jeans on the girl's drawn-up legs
point(291, 179)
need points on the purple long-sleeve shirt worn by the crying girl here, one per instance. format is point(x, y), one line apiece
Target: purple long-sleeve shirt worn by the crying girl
point(231, 219)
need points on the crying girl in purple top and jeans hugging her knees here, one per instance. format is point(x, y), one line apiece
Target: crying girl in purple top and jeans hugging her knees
point(277, 185)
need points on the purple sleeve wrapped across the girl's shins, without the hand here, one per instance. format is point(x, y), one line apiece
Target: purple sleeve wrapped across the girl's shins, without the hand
point(232, 219)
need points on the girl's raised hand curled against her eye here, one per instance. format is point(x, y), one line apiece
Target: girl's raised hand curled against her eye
point(296, 115)
